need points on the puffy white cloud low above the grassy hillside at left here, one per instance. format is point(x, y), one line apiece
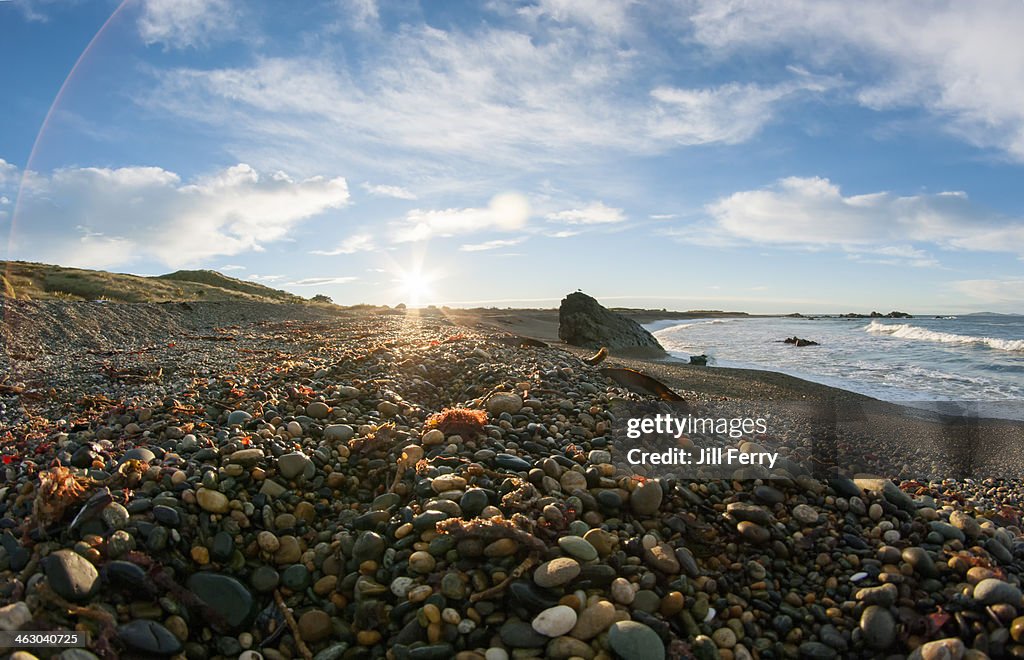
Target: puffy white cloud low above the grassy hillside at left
point(147, 214)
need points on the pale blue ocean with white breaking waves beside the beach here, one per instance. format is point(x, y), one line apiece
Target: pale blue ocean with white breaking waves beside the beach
point(952, 359)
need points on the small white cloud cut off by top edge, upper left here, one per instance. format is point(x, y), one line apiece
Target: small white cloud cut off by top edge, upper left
point(187, 24)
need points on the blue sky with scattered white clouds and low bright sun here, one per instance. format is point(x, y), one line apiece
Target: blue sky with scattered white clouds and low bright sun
point(812, 156)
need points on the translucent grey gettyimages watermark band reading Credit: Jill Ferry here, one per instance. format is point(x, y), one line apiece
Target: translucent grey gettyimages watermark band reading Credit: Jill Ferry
point(925, 441)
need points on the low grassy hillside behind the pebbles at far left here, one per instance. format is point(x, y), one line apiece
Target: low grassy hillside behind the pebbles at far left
point(45, 282)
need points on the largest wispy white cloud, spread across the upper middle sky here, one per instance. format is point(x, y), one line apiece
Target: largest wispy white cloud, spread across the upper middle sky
point(488, 95)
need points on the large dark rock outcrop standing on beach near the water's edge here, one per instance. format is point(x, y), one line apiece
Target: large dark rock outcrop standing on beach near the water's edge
point(584, 322)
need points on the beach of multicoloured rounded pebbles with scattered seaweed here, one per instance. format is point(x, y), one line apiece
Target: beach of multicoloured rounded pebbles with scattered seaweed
point(274, 481)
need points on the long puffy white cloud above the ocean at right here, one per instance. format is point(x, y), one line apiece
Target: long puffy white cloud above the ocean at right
point(814, 212)
